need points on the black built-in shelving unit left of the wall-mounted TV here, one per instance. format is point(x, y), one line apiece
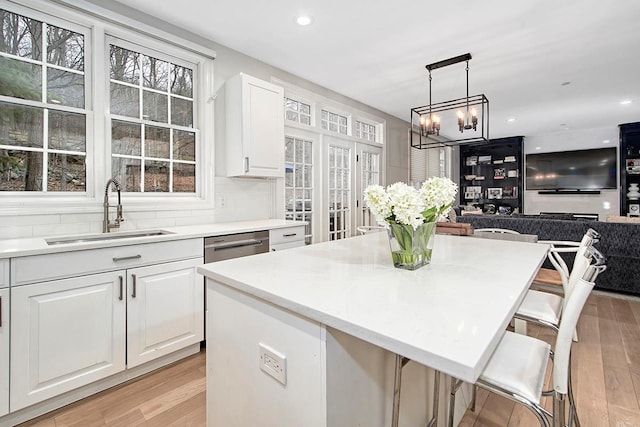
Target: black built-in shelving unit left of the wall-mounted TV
point(491, 175)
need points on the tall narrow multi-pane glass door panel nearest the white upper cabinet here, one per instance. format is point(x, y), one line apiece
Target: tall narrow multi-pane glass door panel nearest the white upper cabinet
point(299, 182)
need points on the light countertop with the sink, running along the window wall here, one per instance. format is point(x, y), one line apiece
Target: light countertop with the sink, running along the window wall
point(10, 248)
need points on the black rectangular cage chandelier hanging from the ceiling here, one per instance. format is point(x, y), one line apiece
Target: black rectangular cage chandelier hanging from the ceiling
point(470, 114)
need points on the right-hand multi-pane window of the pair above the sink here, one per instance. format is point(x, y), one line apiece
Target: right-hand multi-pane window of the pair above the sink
point(153, 140)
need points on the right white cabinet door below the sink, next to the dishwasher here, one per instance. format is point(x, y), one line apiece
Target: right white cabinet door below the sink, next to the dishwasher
point(165, 309)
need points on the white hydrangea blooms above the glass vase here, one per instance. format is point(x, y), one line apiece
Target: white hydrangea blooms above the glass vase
point(403, 204)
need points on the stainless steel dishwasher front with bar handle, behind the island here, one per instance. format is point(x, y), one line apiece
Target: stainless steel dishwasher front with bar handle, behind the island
point(237, 245)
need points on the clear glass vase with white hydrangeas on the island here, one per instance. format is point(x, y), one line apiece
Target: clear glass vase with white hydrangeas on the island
point(410, 216)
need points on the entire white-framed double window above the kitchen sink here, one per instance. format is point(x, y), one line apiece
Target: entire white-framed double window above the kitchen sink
point(84, 99)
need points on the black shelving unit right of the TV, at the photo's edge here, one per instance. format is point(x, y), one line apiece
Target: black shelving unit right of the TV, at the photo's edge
point(629, 167)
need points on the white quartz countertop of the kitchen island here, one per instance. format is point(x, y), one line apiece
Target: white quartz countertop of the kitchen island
point(448, 315)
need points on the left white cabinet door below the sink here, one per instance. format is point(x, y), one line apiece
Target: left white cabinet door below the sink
point(65, 334)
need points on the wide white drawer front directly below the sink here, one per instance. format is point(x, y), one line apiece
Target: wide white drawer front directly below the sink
point(39, 268)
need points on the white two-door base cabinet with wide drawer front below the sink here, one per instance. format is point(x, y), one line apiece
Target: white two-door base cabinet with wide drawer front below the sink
point(108, 309)
